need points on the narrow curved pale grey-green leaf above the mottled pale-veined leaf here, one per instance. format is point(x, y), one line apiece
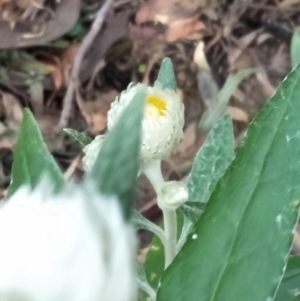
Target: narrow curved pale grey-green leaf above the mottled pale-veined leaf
point(210, 116)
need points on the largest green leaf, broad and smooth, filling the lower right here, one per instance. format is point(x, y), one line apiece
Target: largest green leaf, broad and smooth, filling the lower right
point(239, 246)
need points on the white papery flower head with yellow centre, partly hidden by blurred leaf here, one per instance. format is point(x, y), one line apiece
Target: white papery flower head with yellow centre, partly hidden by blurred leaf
point(161, 128)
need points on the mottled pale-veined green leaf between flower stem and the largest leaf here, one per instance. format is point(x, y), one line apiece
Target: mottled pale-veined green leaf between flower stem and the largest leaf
point(209, 166)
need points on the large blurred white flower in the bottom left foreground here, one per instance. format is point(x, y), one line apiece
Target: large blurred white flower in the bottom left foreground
point(72, 247)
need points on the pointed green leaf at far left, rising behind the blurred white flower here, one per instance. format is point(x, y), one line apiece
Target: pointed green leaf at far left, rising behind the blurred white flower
point(32, 158)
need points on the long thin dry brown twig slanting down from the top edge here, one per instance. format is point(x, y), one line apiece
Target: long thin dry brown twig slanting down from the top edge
point(85, 45)
